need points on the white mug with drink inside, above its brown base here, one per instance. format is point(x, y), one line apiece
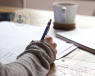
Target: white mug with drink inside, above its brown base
point(64, 12)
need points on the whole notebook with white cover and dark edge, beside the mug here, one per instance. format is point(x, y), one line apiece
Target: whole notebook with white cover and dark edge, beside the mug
point(83, 38)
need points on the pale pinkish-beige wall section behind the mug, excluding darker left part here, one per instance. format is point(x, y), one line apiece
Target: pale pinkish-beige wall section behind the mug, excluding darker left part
point(84, 7)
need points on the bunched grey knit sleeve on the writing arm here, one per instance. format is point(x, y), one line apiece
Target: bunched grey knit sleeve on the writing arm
point(34, 61)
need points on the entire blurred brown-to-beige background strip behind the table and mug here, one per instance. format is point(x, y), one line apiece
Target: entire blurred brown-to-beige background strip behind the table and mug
point(85, 7)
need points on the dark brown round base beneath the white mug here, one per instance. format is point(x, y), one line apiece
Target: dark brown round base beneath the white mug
point(64, 26)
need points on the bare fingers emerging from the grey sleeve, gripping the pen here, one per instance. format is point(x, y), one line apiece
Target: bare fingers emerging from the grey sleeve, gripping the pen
point(49, 40)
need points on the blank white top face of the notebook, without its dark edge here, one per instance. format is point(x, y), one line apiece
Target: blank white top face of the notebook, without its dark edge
point(84, 37)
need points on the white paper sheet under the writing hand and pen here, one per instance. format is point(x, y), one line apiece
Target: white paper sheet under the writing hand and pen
point(13, 41)
